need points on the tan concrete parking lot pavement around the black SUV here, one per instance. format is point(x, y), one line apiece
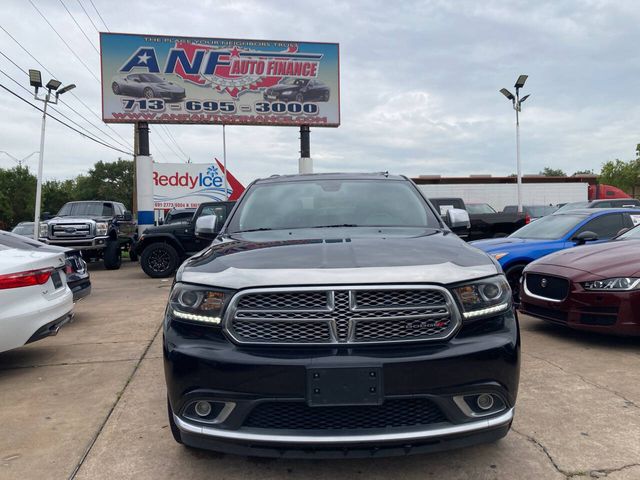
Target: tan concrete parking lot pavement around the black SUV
point(90, 404)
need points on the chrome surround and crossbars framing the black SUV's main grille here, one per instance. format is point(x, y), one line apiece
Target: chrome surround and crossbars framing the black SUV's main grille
point(450, 305)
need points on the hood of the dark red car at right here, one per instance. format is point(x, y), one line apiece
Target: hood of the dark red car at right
point(610, 259)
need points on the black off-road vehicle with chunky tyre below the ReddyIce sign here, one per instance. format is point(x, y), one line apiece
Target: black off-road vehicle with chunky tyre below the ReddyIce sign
point(161, 249)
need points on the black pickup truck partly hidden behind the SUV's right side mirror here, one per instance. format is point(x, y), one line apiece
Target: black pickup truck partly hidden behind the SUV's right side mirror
point(485, 223)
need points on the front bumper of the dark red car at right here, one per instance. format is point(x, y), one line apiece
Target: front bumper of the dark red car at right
point(594, 311)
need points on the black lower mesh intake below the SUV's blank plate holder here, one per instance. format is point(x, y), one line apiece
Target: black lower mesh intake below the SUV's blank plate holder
point(392, 413)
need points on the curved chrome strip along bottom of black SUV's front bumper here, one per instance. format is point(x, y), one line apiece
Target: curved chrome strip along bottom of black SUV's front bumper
point(341, 439)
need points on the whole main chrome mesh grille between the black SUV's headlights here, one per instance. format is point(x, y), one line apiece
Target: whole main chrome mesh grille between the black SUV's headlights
point(341, 315)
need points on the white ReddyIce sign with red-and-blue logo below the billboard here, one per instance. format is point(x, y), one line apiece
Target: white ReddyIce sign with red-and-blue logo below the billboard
point(187, 185)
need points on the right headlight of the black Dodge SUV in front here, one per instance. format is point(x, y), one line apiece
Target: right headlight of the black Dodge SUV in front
point(484, 297)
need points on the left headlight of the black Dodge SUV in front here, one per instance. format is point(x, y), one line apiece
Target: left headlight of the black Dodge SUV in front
point(197, 304)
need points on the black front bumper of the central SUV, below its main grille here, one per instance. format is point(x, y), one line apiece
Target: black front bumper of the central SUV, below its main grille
point(200, 364)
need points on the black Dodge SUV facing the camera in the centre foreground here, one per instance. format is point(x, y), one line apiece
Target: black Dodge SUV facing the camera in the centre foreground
point(338, 315)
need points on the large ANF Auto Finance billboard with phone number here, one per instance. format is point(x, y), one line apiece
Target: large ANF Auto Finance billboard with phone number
point(161, 79)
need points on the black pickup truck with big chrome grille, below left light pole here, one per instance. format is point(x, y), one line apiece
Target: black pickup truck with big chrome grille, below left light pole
point(99, 229)
